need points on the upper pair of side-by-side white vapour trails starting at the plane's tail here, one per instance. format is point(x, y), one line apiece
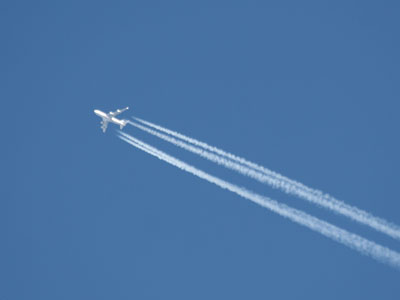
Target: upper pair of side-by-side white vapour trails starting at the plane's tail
point(273, 179)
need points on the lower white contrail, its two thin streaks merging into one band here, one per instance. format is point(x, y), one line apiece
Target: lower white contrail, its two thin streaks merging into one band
point(351, 240)
